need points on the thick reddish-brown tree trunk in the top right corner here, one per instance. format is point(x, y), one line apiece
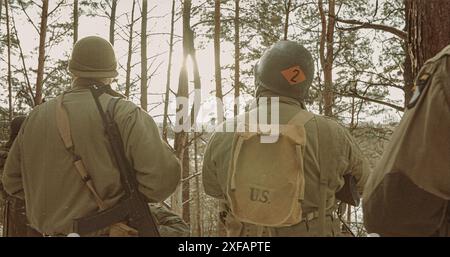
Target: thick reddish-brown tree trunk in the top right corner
point(428, 30)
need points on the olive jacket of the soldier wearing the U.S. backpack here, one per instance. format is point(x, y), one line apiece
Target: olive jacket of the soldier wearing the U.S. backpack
point(349, 161)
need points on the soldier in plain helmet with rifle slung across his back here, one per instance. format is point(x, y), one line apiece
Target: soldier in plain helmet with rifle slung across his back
point(42, 170)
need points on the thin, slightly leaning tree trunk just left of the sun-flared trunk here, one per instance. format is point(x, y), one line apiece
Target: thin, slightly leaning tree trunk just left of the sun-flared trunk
point(169, 71)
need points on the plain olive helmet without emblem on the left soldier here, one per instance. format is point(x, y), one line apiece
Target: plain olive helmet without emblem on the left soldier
point(93, 57)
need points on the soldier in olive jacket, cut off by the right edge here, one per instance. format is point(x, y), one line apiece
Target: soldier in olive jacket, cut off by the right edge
point(408, 193)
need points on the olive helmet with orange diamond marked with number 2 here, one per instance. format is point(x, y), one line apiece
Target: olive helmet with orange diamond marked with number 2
point(287, 69)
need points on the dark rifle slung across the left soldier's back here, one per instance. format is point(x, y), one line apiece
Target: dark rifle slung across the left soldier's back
point(133, 208)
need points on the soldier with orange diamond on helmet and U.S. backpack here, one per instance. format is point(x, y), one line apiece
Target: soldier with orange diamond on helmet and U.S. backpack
point(245, 173)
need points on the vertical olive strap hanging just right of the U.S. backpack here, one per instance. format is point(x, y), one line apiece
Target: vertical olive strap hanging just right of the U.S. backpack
point(325, 143)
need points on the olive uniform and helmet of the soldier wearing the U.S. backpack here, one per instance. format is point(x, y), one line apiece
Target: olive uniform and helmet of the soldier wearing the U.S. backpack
point(342, 155)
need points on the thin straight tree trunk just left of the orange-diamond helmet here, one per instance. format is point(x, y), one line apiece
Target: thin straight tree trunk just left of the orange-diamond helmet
point(237, 54)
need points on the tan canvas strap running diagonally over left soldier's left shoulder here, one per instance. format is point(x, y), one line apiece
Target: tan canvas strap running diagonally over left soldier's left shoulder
point(63, 125)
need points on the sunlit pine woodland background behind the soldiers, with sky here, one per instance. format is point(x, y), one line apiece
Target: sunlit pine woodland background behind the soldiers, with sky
point(367, 54)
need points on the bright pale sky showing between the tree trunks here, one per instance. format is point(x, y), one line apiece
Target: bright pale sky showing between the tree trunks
point(158, 44)
